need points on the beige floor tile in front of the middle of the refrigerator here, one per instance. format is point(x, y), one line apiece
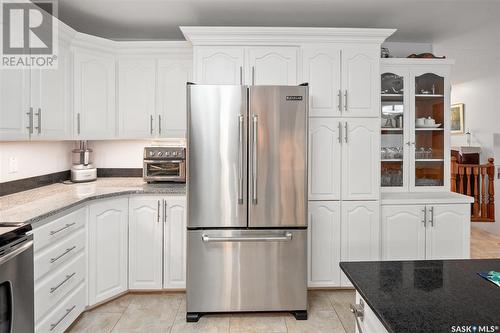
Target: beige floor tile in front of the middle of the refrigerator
point(258, 323)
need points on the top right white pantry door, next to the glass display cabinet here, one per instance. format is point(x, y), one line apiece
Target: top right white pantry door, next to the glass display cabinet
point(361, 81)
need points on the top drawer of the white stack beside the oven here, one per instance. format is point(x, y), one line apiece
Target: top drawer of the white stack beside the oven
point(59, 228)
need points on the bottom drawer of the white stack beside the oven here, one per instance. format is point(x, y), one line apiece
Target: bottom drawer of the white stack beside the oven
point(64, 314)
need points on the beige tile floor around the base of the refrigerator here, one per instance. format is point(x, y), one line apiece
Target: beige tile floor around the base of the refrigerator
point(165, 312)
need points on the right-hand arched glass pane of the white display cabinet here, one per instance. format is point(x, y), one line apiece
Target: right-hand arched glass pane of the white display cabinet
point(429, 133)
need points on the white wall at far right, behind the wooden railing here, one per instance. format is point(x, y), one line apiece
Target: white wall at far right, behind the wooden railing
point(476, 83)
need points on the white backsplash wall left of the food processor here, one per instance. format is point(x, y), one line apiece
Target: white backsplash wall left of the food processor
point(33, 158)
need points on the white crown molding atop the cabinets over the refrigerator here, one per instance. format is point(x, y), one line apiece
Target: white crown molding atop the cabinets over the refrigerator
point(281, 35)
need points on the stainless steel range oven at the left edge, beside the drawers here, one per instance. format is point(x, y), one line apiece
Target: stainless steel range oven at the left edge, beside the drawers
point(16, 279)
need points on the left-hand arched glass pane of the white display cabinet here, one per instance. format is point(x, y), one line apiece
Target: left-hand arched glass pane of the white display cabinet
point(392, 131)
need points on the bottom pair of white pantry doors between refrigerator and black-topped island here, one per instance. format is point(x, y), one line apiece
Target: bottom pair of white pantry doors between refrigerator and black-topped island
point(340, 231)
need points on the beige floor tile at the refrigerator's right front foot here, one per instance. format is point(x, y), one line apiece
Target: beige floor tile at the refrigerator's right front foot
point(317, 322)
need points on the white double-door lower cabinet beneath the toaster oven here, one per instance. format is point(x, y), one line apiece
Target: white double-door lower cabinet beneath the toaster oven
point(157, 242)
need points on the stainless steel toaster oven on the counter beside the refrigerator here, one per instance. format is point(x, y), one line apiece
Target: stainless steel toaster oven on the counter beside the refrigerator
point(164, 164)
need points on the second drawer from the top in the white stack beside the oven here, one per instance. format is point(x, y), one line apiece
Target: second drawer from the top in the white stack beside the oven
point(60, 253)
